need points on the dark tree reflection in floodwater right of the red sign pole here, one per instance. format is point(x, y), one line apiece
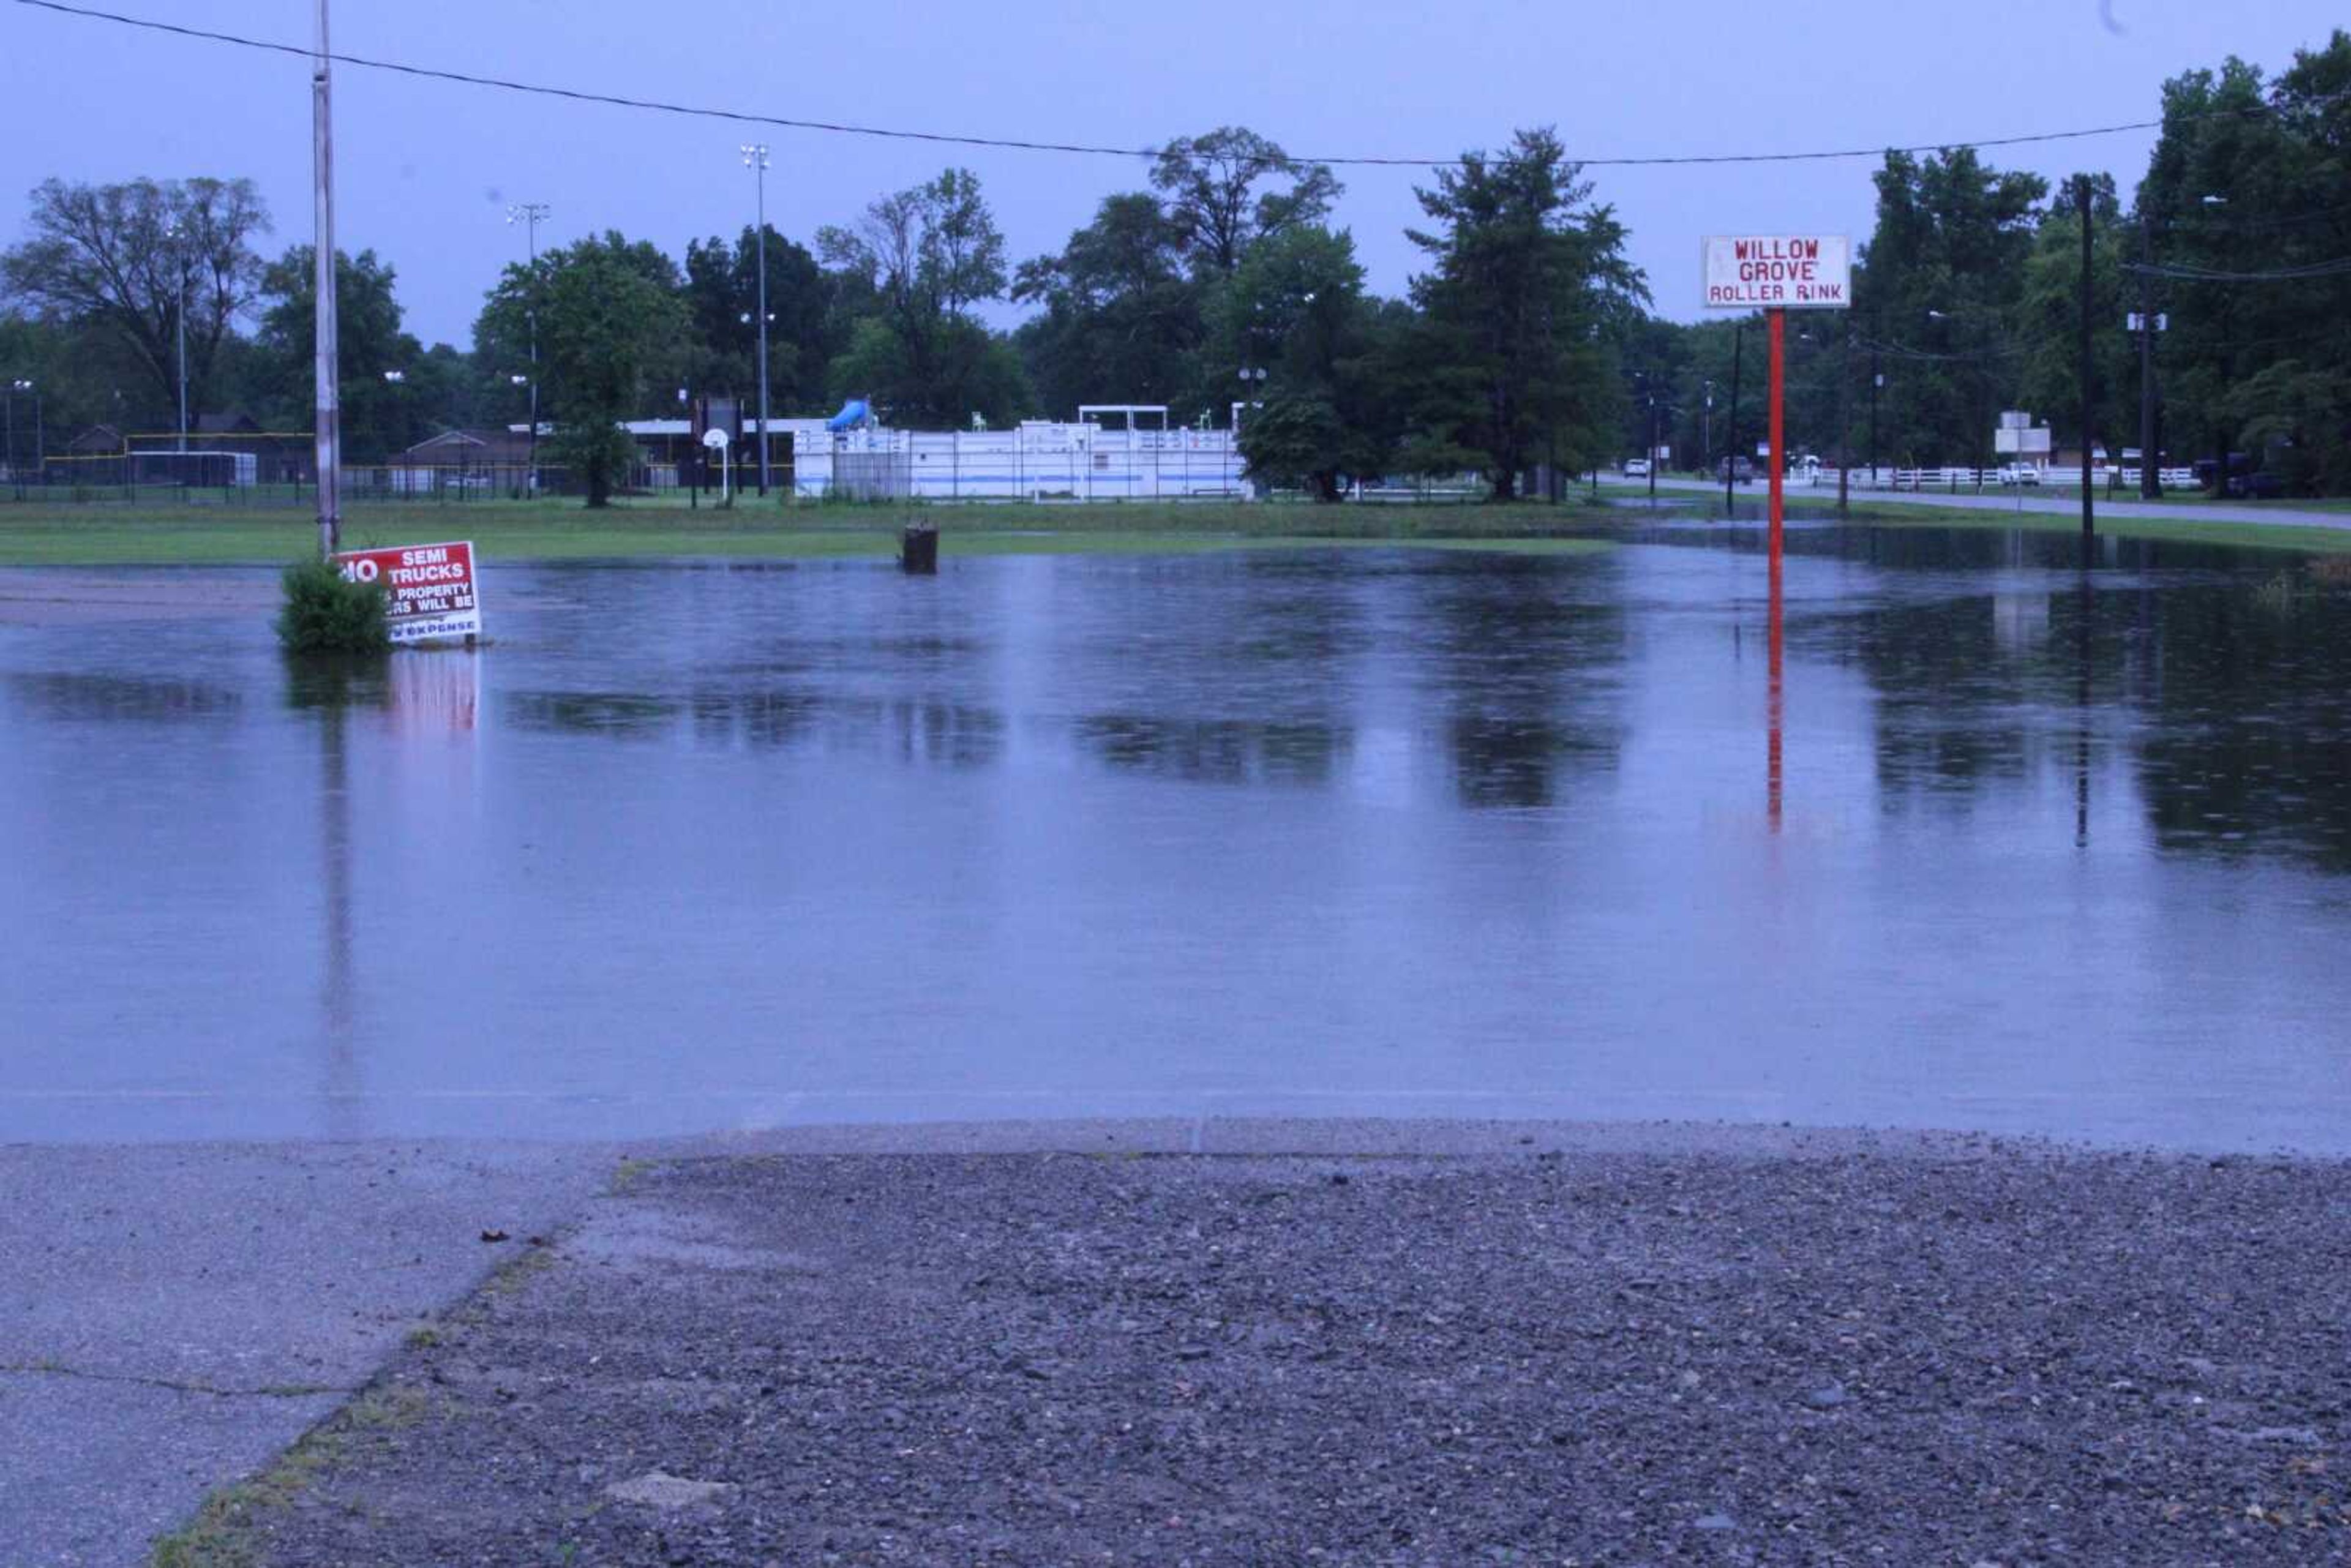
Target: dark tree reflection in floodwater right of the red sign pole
point(2225, 690)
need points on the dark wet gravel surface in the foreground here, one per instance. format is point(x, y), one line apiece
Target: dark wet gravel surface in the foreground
point(1967, 1355)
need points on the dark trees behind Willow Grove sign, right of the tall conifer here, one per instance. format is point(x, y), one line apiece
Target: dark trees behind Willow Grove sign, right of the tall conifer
point(1969, 290)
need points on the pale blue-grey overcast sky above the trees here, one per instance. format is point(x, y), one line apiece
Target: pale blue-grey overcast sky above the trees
point(429, 168)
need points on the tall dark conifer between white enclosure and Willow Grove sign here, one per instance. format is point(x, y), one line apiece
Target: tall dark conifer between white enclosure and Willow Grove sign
point(1527, 272)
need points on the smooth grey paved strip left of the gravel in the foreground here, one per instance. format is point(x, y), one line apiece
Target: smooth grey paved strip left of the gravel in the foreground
point(175, 1315)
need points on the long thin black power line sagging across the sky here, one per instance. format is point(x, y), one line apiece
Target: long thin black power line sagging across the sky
point(1066, 147)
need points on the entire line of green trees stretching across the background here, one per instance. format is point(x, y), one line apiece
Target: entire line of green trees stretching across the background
point(1525, 342)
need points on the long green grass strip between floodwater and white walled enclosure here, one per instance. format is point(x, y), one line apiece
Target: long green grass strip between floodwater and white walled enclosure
point(36, 535)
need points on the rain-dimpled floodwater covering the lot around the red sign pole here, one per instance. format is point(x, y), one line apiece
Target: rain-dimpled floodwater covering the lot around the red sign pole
point(1344, 831)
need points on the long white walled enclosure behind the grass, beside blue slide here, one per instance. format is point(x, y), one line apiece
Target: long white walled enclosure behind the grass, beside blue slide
point(1033, 462)
